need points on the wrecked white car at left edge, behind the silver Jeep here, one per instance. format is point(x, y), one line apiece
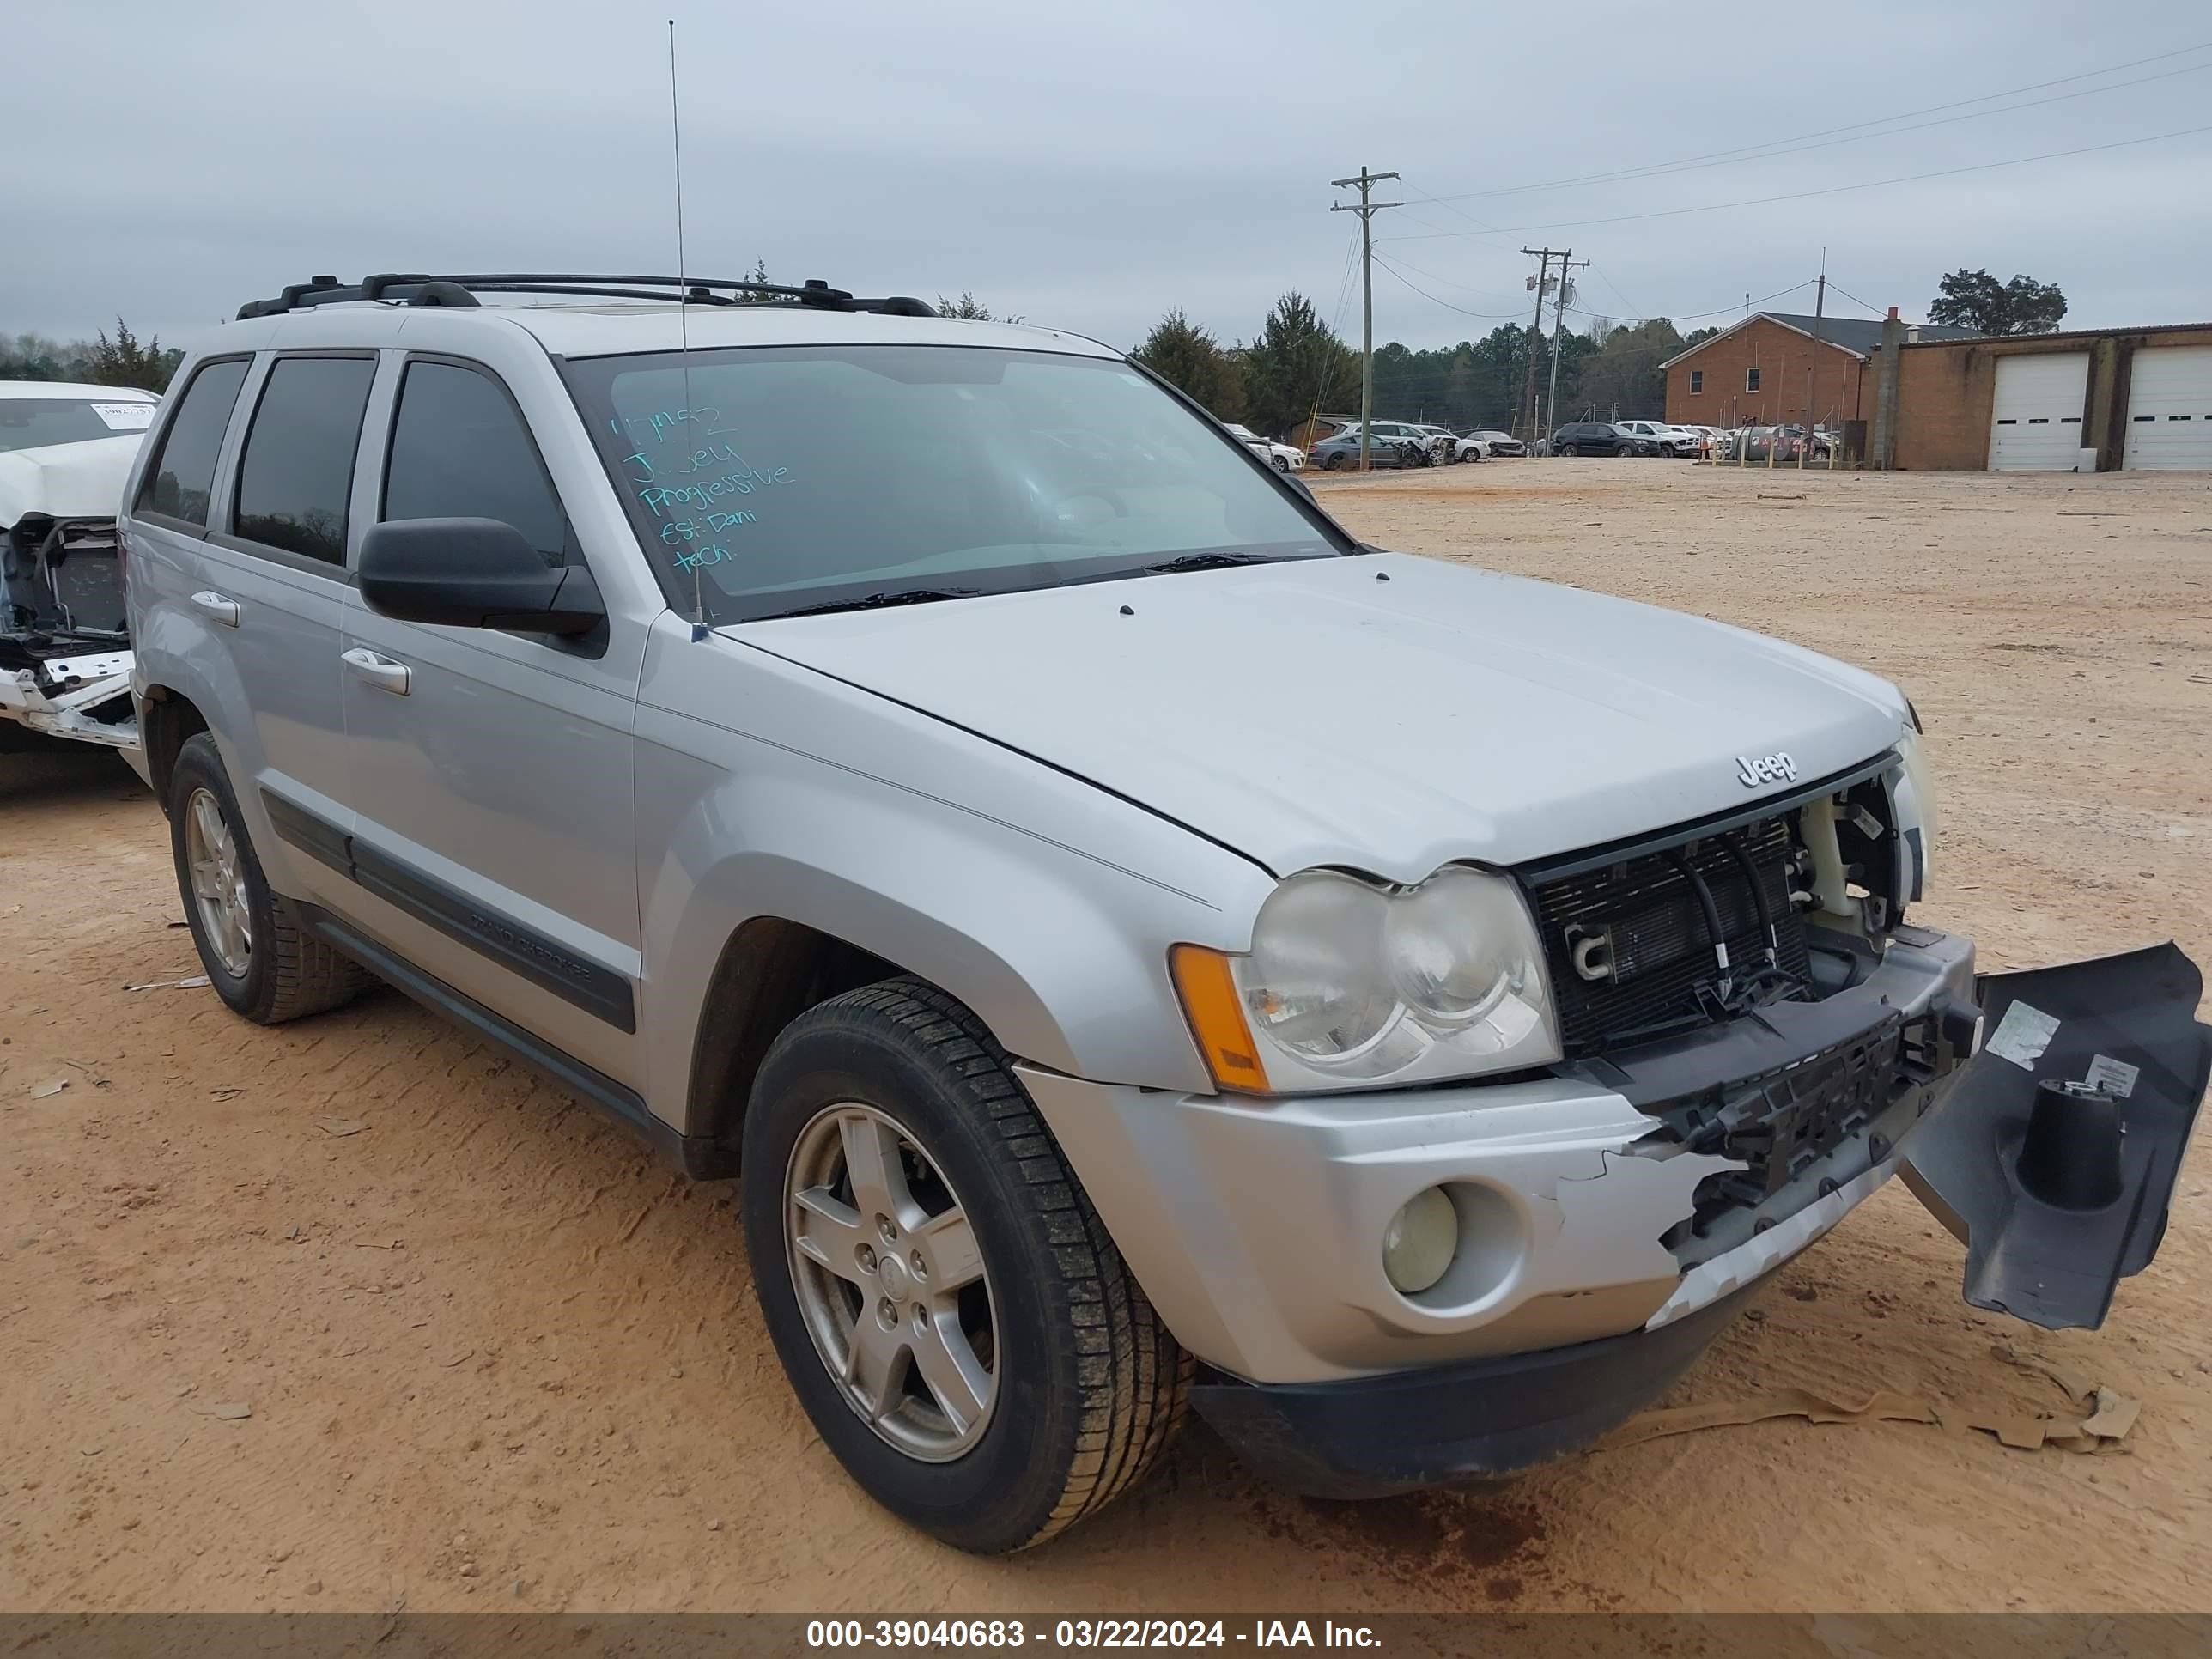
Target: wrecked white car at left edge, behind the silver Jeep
point(65, 656)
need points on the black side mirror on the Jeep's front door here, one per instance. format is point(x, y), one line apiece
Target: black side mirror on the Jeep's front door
point(472, 574)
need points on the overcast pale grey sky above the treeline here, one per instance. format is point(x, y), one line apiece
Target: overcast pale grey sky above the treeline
point(1094, 167)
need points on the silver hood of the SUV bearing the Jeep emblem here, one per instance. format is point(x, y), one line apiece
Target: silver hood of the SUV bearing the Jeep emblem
point(1386, 713)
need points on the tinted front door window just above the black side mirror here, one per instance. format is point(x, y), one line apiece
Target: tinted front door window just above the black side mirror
point(459, 450)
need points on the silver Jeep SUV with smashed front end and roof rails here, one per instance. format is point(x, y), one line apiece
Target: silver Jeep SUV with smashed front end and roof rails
point(1136, 946)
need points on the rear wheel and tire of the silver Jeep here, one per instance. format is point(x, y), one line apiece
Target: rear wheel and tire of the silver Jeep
point(251, 948)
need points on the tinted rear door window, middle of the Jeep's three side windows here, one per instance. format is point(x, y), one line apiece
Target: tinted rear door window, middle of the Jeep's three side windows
point(298, 472)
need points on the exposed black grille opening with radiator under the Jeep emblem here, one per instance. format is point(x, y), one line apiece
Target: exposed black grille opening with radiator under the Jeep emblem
point(1651, 932)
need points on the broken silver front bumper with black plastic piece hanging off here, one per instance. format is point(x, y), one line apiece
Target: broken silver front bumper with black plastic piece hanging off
point(1611, 1213)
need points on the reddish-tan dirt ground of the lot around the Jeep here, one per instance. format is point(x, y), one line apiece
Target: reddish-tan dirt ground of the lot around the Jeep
point(499, 1359)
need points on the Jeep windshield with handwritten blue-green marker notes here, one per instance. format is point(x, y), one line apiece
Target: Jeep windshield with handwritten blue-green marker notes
point(793, 479)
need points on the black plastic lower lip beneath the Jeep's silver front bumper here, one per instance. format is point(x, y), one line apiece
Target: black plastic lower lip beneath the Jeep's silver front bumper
point(1477, 1421)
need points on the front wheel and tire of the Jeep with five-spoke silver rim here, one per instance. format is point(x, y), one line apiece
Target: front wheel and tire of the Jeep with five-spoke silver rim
point(946, 1302)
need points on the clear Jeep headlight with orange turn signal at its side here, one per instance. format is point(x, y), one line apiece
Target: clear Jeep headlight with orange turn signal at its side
point(1357, 983)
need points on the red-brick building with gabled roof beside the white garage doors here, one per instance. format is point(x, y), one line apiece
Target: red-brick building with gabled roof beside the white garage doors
point(1782, 368)
